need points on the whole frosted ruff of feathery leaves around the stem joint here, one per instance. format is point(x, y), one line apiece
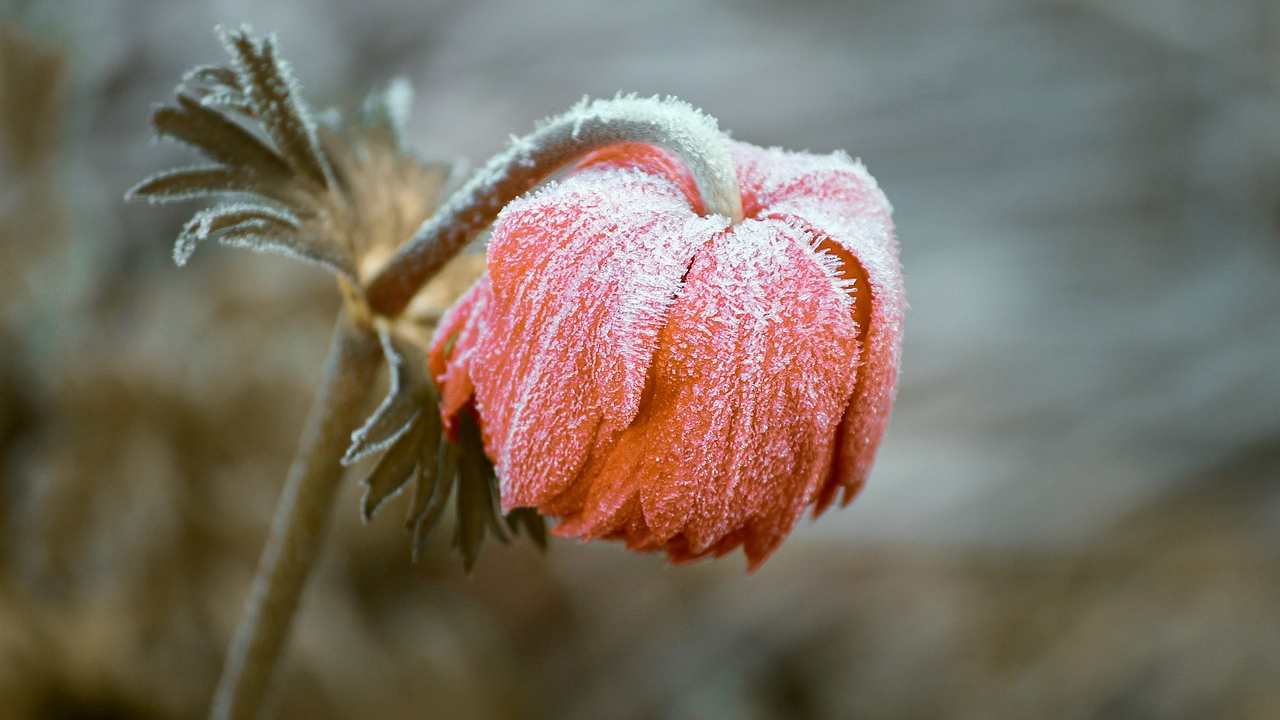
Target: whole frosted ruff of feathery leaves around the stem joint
point(341, 190)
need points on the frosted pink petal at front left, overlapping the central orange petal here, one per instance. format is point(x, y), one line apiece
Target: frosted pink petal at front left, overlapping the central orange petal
point(583, 275)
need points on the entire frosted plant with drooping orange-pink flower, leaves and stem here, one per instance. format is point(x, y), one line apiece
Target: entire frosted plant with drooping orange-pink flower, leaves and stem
point(726, 312)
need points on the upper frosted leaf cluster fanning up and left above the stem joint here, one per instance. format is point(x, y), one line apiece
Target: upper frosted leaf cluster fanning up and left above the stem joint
point(359, 194)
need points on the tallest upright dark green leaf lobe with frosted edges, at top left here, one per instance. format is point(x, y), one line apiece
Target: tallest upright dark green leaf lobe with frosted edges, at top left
point(273, 94)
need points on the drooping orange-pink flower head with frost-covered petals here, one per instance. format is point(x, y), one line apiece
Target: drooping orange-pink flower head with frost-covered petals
point(656, 376)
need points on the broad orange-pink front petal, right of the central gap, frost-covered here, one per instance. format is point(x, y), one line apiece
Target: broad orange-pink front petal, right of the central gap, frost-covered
point(749, 384)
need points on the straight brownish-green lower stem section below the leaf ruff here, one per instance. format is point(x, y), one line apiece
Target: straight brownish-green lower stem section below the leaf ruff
point(300, 523)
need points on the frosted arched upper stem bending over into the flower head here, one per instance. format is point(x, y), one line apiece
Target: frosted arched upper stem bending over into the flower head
point(589, 126)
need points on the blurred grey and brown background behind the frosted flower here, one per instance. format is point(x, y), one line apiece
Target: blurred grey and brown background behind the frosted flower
point(1076, 512)
